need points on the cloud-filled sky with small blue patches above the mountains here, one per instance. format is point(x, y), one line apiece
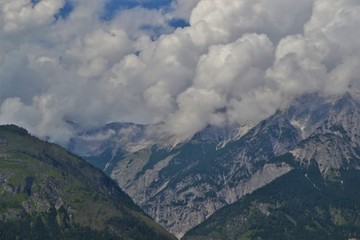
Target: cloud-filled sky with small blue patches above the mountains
point(187, 63)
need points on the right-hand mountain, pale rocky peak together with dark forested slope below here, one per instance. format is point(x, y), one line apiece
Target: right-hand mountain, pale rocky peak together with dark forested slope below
point(317, 199)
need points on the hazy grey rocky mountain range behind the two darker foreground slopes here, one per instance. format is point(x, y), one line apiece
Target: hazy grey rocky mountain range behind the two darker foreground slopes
point(181, 183)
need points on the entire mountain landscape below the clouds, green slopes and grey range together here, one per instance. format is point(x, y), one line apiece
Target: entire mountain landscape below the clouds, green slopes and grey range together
point(293, 175)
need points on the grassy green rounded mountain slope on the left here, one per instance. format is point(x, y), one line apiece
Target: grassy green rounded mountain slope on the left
point(47, 193)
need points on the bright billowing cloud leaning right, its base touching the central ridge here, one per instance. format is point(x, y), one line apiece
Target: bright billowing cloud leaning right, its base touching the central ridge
point(223, 75)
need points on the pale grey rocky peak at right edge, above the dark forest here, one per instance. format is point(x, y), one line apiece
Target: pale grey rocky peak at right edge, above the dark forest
point(334, 144)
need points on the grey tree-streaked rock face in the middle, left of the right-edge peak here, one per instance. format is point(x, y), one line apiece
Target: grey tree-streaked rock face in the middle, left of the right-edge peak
point(182, 187)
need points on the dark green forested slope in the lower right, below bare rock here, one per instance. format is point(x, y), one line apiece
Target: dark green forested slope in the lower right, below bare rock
point(299, 205)
